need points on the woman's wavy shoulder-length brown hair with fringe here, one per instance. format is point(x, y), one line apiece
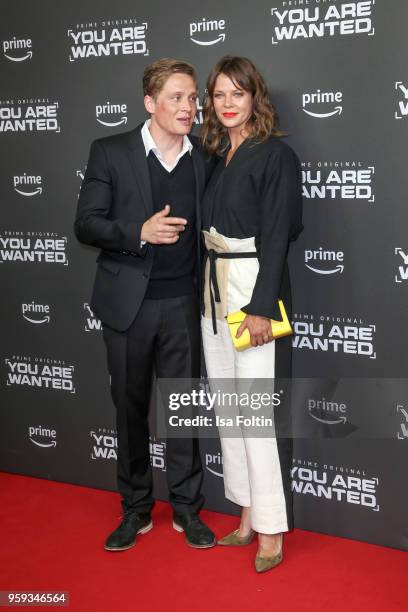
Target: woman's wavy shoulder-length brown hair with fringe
point(264, 120)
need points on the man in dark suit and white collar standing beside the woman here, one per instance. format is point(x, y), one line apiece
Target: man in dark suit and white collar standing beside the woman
point(139, 203)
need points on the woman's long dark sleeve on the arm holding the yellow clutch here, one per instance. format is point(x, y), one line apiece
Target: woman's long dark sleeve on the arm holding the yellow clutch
point(281, 222)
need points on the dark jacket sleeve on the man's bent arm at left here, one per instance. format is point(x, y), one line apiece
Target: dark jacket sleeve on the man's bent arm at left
point(93, 224)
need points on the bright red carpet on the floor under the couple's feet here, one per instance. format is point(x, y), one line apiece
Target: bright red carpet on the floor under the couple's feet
point(52, 539)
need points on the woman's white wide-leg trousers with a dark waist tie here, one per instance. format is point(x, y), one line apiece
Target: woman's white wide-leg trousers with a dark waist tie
point(252, 468)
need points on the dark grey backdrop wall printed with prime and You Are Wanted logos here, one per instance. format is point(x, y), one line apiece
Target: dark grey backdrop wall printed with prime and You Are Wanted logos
point(71, 72)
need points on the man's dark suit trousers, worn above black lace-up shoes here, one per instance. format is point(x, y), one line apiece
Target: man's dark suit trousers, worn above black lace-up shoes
point(165, 335)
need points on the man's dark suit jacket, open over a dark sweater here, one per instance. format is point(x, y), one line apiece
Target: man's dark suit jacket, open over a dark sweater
point(114, 202)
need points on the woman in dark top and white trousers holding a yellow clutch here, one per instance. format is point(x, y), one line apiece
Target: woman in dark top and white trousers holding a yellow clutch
point(251, 211)
